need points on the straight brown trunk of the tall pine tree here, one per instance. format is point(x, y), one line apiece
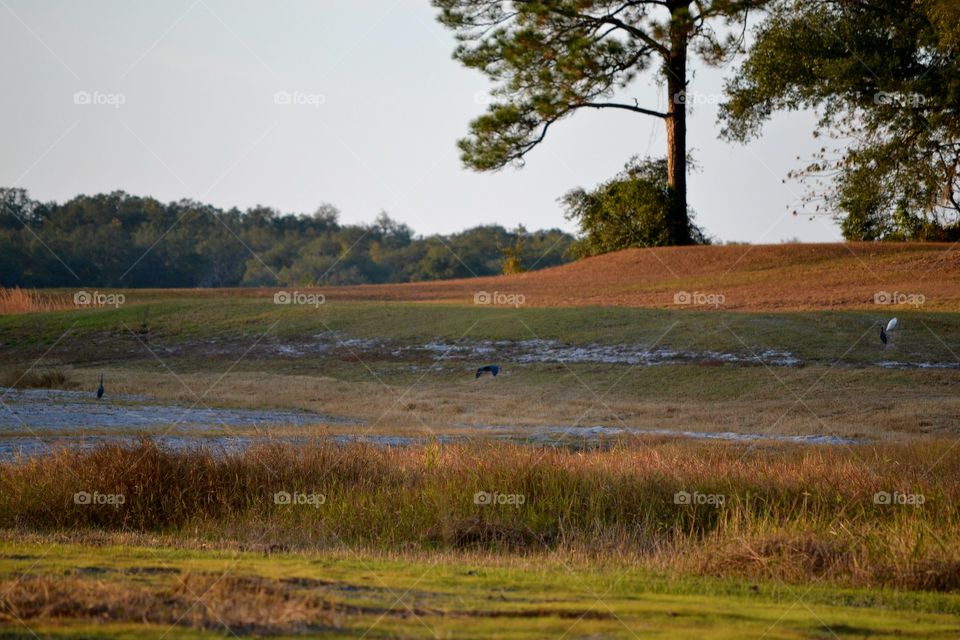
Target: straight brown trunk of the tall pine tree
point(676, 70)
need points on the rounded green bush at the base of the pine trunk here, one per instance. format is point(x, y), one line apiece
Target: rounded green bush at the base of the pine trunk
point(630, 210)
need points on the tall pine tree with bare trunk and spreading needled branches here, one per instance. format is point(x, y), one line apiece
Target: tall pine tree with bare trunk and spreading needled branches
point(551, 58)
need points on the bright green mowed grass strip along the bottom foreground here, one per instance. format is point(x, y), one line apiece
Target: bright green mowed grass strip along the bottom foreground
point(357, 595)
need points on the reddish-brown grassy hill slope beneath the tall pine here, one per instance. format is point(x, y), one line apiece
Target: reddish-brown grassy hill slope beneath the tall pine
point(749, 277)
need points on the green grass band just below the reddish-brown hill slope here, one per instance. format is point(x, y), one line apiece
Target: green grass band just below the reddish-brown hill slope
point(849, 336)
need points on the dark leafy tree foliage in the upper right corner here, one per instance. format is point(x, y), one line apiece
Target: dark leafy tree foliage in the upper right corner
point(885, 78)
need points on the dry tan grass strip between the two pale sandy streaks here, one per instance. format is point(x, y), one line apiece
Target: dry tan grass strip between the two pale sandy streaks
point(850, 403)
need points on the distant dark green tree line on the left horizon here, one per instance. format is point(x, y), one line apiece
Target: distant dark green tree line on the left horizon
point(121, 240)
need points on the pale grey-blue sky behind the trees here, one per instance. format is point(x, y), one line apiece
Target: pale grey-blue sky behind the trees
point(177, 100)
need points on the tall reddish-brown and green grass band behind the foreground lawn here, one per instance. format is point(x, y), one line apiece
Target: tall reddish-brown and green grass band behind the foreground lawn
point(877, 516)
